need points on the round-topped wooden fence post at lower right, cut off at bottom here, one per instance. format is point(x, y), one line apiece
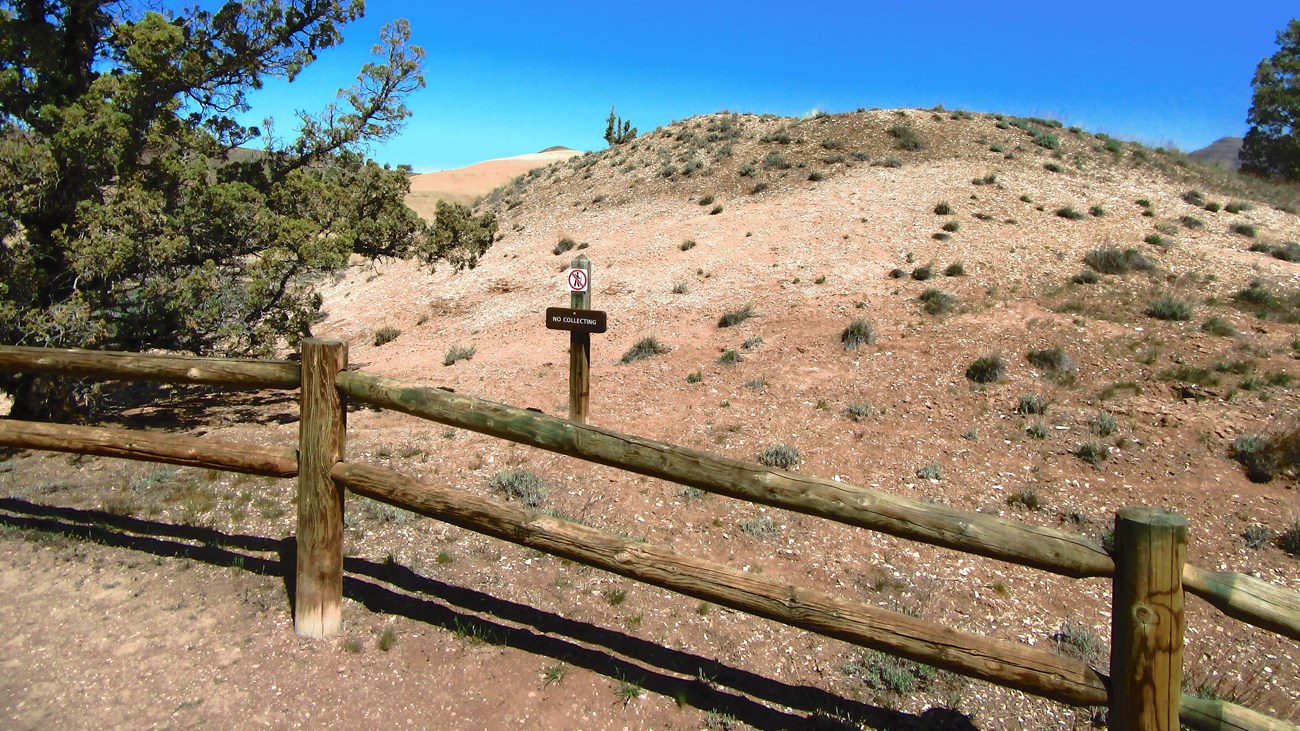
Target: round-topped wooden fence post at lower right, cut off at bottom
point(1147, 620)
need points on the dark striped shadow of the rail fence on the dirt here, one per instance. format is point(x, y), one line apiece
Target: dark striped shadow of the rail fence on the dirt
point(392, 589)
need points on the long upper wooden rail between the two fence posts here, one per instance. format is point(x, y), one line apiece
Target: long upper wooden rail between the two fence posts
point(985, 535)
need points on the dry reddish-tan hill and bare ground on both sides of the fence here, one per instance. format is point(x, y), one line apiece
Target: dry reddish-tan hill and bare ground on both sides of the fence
point(808, 226)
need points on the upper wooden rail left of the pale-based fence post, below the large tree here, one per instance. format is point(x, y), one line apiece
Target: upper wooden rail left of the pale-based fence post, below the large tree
point(148, 367)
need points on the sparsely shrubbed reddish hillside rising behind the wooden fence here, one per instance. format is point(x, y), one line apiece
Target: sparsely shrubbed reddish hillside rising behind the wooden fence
point(804, 222)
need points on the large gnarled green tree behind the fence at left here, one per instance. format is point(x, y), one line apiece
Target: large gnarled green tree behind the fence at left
point(133, 219)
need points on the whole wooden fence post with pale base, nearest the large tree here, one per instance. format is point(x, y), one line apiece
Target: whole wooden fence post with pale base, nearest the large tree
point(319, 585)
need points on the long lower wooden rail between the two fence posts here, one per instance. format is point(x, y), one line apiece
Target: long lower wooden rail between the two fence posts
point(998, 661)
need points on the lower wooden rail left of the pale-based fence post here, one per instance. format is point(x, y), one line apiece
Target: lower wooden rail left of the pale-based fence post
point(171, 449)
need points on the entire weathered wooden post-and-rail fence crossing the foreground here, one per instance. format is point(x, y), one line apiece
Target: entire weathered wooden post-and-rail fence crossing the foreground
point(1142, 690)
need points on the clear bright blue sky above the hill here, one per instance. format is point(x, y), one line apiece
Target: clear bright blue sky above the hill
point(513, 77)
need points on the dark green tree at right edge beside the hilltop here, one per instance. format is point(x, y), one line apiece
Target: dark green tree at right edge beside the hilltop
point(1272, 145)
